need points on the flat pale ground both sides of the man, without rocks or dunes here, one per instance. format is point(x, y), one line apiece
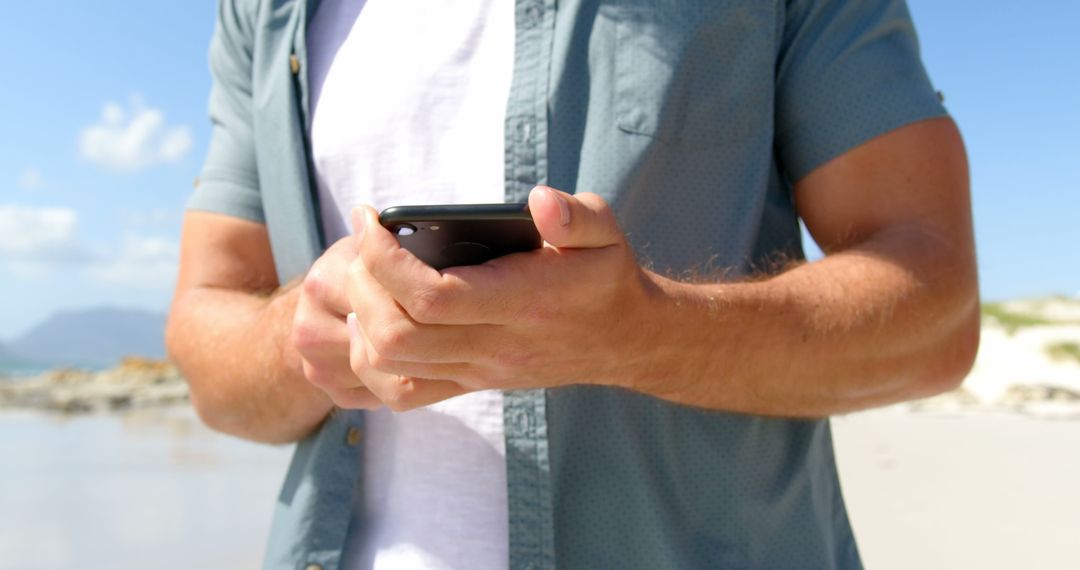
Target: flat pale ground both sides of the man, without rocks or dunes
point(158, 491)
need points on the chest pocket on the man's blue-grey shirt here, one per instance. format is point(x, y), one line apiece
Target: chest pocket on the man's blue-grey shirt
point(695, 73)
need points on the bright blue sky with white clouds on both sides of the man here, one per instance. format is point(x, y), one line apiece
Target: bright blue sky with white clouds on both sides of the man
point(103, 127)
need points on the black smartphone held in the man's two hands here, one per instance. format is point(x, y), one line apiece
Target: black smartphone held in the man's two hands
point(463, 235)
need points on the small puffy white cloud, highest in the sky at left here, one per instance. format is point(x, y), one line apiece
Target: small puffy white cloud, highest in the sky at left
point(133, 140)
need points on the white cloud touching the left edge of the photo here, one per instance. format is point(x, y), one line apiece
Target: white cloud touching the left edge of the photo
point(32, 236)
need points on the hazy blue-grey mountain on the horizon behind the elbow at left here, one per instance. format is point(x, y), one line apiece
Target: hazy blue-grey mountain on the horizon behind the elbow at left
point(92, 338)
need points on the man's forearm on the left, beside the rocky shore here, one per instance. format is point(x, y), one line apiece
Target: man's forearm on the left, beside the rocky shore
point(246, 378)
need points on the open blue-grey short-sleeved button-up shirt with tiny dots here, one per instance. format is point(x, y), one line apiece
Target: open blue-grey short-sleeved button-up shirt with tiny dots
point(693, 118)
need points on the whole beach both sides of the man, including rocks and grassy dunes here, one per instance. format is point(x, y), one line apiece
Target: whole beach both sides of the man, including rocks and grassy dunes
point(114, 471)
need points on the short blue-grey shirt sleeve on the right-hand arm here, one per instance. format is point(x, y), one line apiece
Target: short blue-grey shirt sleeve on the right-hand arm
point(848, 72)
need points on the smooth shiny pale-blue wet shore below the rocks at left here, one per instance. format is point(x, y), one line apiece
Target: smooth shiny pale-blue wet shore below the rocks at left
point(140, 491)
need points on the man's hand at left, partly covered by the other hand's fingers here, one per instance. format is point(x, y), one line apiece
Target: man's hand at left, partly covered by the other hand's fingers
point(320, 333)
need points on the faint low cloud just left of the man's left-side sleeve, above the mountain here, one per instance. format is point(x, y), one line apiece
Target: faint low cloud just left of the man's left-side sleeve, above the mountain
point(143, 262)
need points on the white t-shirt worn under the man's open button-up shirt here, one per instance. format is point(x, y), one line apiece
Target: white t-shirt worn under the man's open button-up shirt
point(408, 103)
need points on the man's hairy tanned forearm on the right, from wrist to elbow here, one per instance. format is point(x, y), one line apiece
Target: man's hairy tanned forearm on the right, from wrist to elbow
point(893, 319)
